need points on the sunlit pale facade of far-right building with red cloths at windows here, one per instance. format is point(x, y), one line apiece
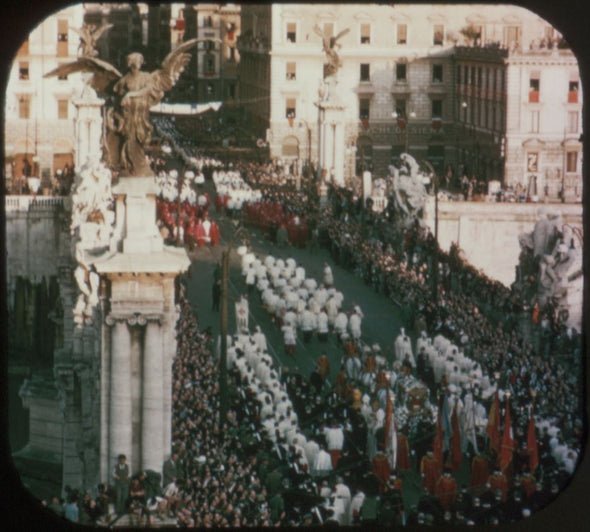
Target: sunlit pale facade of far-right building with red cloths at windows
point(544, 122)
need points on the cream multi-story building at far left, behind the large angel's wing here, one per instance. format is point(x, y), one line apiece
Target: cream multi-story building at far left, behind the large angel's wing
point(39, 126)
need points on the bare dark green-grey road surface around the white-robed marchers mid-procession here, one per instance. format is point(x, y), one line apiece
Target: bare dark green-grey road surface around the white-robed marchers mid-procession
point(381, 323)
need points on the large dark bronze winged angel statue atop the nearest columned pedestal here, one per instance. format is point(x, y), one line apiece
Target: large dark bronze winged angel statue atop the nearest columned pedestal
point(128, 127)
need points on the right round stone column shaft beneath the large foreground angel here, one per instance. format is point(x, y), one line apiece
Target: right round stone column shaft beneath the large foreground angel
point(152, 418)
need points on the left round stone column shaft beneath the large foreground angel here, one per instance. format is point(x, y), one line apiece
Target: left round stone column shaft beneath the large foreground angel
point(120, 404)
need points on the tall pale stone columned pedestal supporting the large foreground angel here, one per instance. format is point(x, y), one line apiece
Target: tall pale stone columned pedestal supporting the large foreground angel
point(139, 333)
